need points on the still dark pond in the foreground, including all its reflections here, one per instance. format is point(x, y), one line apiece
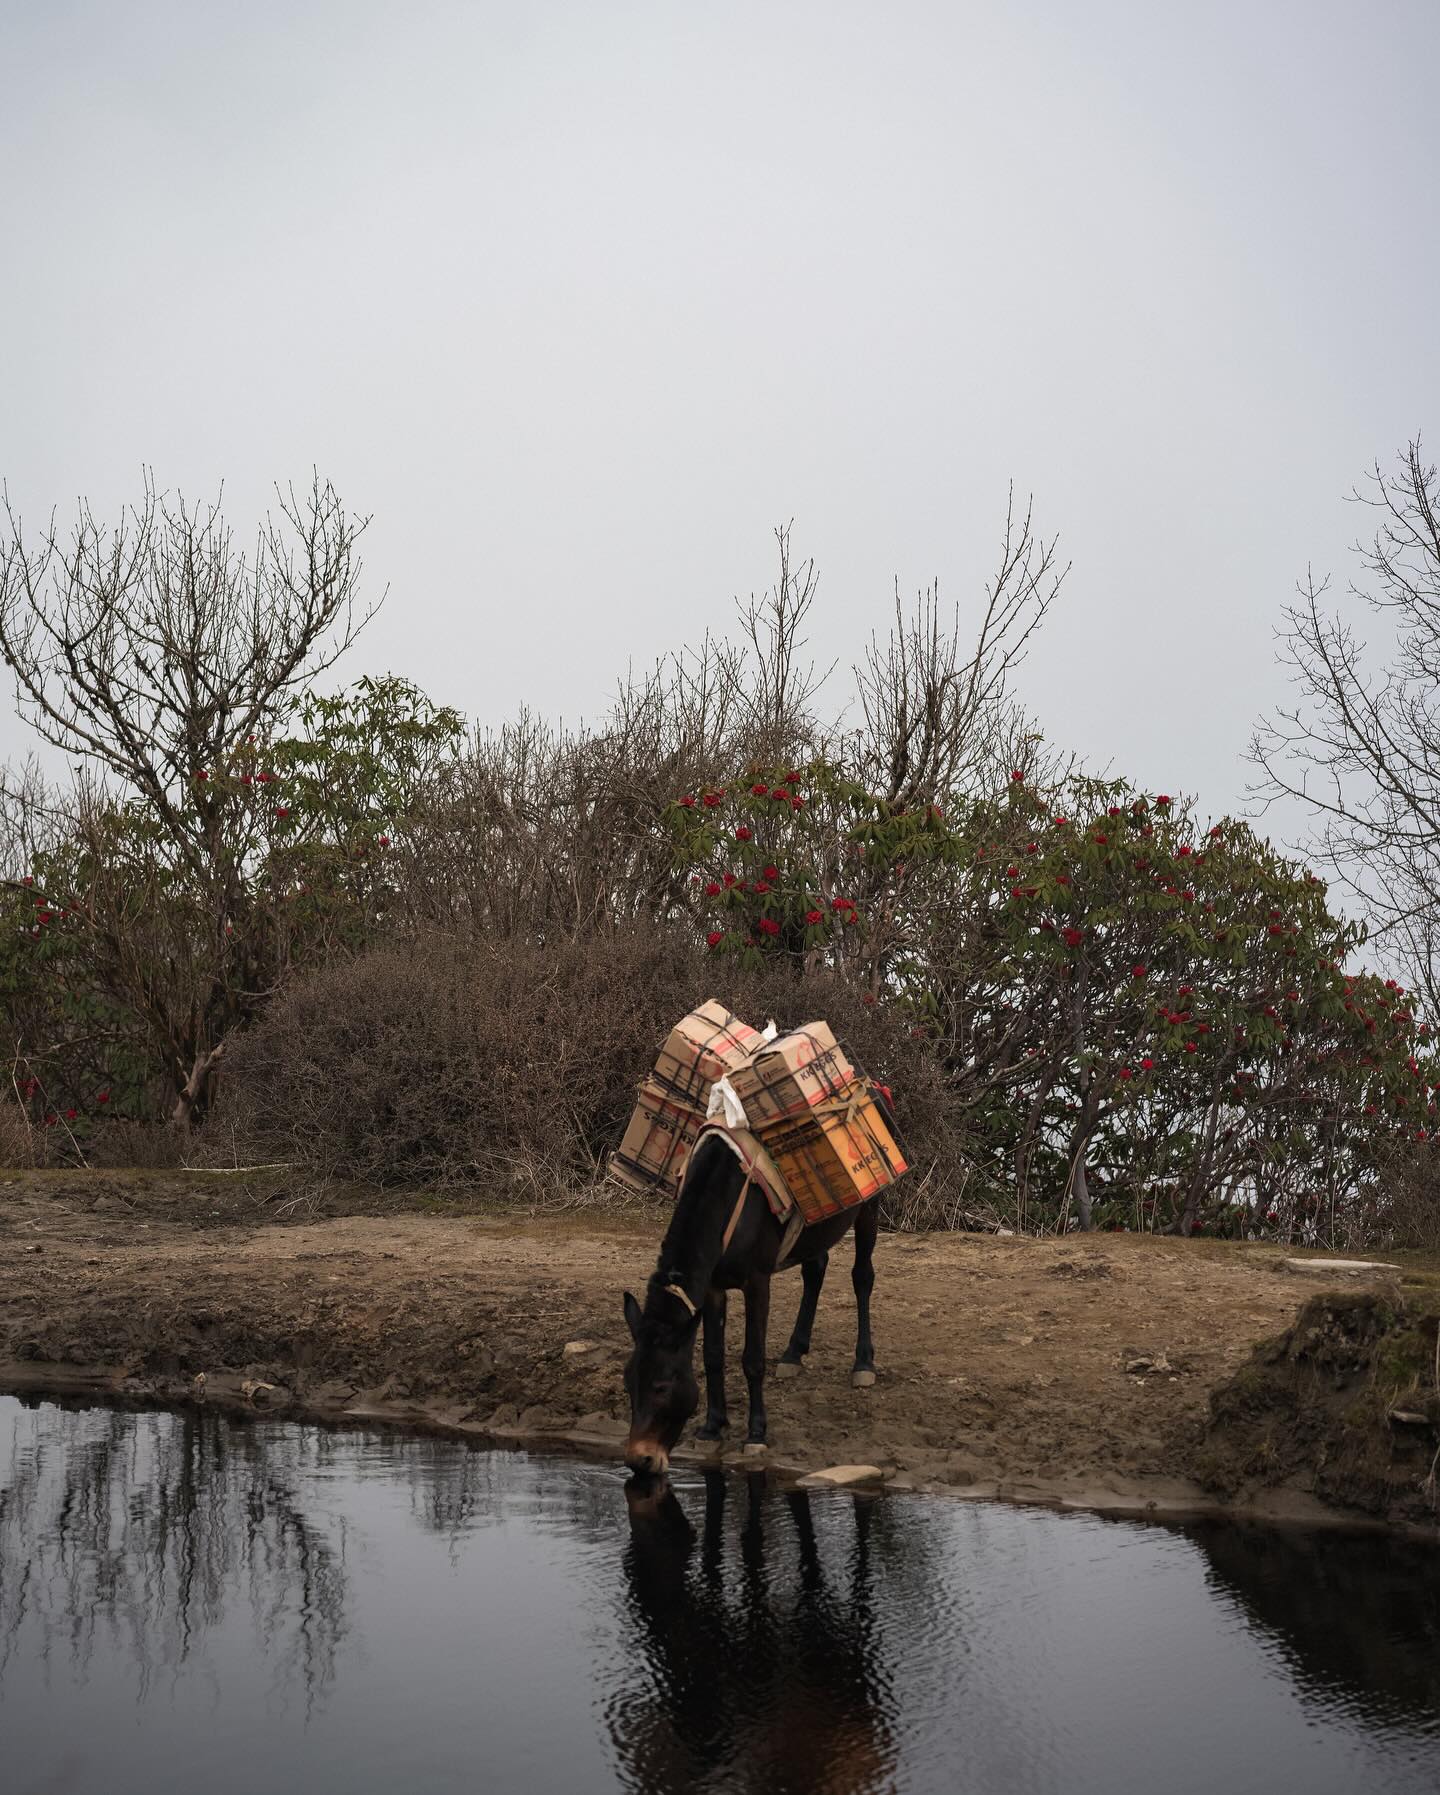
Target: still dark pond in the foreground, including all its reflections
point(207, 1607)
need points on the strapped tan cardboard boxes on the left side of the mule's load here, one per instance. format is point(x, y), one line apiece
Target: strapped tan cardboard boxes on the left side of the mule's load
point(672, 1103)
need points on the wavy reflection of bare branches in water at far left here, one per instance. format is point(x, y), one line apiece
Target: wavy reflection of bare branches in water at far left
point(150, 1528)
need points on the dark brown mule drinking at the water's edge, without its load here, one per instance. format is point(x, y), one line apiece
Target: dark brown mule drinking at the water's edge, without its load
point(719, 1243)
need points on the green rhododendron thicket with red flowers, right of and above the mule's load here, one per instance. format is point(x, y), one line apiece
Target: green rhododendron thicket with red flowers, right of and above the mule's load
point(1146, 1022)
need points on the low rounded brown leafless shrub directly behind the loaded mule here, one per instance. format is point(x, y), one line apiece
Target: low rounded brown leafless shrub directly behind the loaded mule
point(516, 1067)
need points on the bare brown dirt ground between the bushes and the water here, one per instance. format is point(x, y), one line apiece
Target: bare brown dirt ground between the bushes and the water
point(1039, 1370)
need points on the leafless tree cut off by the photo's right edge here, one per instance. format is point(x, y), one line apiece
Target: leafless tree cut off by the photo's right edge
point(1360, 746)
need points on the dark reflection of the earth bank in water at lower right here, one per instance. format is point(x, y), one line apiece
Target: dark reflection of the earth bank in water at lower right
point(1358, 1616)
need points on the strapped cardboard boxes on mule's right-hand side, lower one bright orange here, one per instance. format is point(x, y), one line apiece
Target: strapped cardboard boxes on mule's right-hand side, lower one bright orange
point(820, 1121)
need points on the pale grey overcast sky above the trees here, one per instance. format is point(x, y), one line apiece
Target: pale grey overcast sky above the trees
point(581, 301)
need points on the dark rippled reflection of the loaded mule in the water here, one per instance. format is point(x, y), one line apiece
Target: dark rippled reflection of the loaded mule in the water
point(762, 1674)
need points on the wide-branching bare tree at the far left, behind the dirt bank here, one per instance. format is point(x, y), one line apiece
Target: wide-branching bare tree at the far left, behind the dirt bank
point(152, 654)
